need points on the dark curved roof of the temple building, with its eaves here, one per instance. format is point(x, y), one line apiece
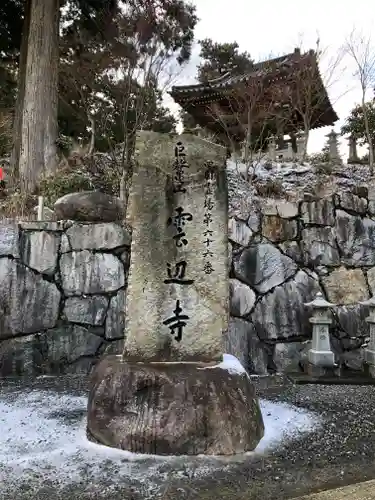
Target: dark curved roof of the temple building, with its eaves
point(275, 73)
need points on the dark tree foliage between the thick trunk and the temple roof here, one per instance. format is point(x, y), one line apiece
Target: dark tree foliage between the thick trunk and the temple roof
point(145, 31)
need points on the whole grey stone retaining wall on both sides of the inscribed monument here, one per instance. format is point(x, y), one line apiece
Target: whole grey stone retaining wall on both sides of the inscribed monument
point(63, 284)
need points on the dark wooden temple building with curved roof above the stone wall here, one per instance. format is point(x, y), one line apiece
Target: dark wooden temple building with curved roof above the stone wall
point(279, 97)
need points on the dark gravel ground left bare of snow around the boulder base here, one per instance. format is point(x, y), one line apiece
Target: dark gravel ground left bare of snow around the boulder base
point(339, 450)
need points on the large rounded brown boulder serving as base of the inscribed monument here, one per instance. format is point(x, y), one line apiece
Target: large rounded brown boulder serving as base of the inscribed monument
point(172, 408)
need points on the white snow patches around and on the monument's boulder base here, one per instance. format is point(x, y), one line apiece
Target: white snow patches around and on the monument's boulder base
point(43, 436)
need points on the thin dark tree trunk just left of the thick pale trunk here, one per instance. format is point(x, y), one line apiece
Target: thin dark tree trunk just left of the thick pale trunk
point(21, 79)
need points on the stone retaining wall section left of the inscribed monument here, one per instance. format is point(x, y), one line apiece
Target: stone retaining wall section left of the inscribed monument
point(62, 295)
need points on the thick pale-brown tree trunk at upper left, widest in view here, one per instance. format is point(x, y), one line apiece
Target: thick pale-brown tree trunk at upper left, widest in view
point(39, 116)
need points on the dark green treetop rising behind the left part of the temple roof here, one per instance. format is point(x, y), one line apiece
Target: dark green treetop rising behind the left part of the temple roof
point(218, 57)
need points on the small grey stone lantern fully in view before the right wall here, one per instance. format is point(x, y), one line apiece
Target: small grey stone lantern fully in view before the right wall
point(320, 353)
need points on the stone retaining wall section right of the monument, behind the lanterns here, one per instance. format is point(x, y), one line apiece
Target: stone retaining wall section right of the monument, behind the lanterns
point(283, 253)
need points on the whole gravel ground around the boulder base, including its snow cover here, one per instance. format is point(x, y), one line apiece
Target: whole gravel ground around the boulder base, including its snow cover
point(44, 453)
